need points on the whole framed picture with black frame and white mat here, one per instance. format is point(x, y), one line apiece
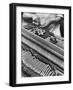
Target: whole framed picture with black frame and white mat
point(40, 44)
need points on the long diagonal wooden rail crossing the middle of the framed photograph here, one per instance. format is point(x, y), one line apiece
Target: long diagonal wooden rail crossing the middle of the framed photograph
point(51, 52)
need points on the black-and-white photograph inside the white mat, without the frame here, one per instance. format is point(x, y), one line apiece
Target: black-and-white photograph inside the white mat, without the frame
point(49, 30)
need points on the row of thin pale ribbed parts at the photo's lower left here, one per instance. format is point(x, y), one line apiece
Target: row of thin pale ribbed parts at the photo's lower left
point(35, 65)
